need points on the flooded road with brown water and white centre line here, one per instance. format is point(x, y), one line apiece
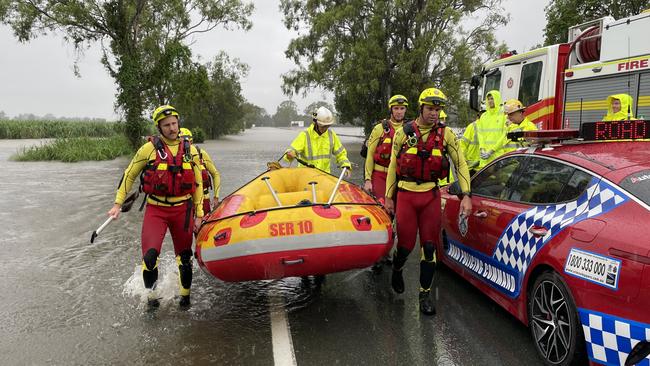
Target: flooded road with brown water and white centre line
point(67, 302)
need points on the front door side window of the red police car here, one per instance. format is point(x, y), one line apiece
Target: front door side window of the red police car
point(493, 180)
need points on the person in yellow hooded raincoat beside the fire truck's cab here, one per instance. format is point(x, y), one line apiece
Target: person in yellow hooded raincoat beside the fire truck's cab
point(490, 128)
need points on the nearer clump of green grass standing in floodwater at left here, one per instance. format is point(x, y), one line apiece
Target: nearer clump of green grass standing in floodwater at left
point(77, 149)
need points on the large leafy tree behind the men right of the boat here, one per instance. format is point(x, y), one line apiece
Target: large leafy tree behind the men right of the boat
point(364, 50)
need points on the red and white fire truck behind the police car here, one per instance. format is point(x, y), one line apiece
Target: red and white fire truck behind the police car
point(566, 84)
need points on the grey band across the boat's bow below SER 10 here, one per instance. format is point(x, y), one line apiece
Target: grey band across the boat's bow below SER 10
point(298, 242)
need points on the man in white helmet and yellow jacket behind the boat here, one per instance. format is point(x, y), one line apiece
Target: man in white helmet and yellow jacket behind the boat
point(318, 143)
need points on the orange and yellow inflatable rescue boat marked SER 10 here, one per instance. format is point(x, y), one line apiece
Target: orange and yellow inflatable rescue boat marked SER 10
point(293, 222)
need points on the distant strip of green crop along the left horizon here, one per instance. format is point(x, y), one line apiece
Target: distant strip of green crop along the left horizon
point(57, 129)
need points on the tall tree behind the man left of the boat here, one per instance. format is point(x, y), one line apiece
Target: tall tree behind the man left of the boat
point(140, 39)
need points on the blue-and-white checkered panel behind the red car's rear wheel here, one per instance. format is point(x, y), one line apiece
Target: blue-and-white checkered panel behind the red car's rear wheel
point(610, 339)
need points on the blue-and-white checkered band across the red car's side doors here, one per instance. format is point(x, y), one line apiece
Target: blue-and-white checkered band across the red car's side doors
point(517, 246)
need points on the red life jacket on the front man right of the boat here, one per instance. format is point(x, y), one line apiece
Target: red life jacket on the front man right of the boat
point(420, 161)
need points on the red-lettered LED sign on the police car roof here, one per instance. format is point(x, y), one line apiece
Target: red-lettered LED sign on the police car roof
point(616, 130)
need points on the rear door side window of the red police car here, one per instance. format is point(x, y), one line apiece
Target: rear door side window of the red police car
point(541, 182)
